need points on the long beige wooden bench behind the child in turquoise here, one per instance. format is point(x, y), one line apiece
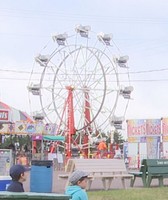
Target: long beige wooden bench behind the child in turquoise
point(104, 169)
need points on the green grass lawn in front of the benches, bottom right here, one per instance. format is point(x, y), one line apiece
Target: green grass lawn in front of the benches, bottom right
point(130, 194)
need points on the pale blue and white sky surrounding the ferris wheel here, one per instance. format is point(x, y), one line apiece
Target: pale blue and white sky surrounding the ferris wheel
point(139, 29)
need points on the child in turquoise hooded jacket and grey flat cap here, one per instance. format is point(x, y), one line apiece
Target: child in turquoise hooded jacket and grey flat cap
point(78, 183)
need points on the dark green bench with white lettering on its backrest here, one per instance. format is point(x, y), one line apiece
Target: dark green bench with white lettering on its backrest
point(151, 169)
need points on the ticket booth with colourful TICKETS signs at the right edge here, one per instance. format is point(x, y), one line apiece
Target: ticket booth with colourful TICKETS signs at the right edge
point(147, 138)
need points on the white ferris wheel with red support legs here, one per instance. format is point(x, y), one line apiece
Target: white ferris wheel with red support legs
point(81, 82)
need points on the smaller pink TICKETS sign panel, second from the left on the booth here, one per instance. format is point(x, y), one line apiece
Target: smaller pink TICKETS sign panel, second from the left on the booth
point(153, 126)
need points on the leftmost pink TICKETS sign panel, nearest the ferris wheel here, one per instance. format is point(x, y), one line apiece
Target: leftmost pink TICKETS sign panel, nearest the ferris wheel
point(136, 127)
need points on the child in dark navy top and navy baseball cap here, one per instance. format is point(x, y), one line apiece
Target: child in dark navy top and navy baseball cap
point(18, 175)
